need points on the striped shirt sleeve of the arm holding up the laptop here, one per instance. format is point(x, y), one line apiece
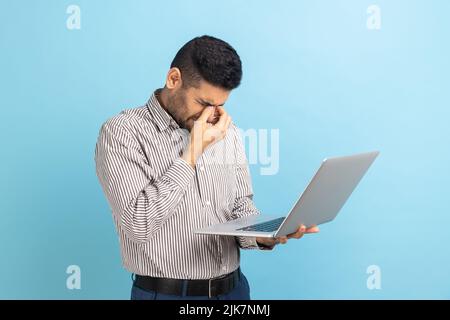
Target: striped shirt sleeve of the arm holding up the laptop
point(243, 204)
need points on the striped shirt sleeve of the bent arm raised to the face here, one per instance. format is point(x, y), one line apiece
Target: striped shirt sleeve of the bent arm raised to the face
point(140, 201)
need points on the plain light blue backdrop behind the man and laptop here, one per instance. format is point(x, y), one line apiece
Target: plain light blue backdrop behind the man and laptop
point(312, 69)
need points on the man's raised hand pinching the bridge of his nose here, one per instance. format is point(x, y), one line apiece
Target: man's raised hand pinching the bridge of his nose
point(204, 133)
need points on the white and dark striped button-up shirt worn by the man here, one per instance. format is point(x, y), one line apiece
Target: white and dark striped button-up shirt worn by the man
point(157, 199)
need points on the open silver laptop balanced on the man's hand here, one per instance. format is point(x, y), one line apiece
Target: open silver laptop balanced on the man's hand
point(321, 201)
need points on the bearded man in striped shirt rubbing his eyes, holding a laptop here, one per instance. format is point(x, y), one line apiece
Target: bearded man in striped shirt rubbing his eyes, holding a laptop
point(162, 184)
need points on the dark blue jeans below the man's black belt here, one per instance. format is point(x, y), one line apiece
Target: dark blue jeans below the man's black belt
point(240, 292)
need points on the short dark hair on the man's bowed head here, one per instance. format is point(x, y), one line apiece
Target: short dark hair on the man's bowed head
point(210, 59)
